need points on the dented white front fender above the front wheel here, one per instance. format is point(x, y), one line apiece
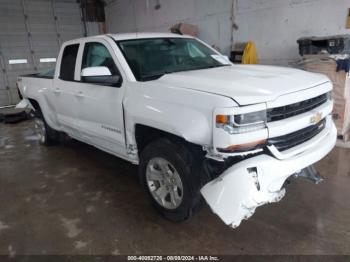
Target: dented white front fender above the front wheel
point(181, 112)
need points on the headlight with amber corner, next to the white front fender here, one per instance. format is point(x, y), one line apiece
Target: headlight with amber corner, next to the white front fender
point(242, 123)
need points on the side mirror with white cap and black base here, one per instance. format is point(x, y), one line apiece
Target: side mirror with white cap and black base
point(100, 75)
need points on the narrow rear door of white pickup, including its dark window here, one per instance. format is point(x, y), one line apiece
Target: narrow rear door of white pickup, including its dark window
point(65, 90)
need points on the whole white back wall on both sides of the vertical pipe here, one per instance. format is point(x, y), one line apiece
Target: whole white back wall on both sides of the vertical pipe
point(274, 25)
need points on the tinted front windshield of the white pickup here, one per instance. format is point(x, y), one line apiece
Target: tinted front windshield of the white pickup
point(151, 58)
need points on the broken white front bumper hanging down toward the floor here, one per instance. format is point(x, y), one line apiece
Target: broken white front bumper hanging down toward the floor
point(259, 180)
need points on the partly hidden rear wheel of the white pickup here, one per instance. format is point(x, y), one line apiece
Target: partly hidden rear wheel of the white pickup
point(47, 135)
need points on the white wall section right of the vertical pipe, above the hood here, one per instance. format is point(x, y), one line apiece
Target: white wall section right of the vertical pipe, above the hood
point(275, 25)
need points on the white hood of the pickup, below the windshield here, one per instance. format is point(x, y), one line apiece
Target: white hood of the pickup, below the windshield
point(246, 84)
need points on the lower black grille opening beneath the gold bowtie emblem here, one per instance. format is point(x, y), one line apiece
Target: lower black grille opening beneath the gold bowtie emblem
point(296, 138)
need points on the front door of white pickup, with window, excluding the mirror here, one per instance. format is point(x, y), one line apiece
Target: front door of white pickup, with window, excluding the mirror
point(100, 105)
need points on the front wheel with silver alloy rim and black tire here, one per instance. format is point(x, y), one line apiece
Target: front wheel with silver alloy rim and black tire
point(162, 164)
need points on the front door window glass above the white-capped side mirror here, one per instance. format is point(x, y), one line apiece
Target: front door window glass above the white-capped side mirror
point(96, 54)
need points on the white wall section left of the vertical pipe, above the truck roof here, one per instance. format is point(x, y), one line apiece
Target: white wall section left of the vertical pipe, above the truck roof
point(211, 17)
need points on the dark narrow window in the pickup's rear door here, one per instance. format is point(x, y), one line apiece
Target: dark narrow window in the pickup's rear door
point(69, 58)
